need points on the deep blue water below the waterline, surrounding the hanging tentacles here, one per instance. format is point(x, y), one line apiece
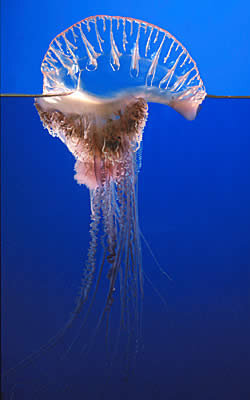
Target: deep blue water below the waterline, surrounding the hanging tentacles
point(194, 207)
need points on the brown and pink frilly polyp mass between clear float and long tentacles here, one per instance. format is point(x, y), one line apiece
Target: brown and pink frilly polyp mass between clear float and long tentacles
point(99, 133)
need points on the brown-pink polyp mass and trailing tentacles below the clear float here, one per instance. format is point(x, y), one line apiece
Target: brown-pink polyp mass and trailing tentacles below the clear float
point(105, 147)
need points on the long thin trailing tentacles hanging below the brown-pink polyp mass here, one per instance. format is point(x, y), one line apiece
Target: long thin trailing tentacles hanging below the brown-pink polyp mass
point(118, 208)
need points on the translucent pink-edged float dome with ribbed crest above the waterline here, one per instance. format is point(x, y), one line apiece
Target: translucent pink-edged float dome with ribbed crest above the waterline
point(105, 58)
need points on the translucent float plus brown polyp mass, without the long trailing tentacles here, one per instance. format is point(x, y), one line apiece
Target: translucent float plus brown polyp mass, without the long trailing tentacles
point(109, 63)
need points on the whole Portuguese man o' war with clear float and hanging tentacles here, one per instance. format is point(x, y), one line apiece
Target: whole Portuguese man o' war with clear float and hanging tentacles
point(112, 67)
